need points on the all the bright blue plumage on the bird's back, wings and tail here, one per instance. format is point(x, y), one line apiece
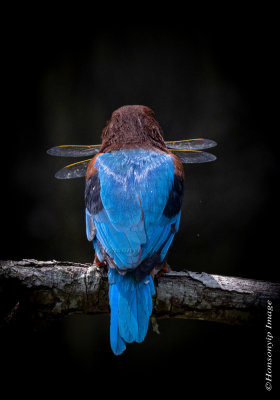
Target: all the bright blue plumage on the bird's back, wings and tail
point(128, 227)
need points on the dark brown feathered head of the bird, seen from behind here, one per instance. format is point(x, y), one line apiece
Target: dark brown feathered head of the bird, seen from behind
point(132, 127)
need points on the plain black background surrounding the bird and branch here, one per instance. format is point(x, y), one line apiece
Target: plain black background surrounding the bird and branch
point(211, 76)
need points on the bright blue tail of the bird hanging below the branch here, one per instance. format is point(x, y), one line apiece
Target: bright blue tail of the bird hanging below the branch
point(131, 307)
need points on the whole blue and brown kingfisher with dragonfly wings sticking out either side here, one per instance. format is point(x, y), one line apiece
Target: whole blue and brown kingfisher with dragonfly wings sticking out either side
point(134, 187)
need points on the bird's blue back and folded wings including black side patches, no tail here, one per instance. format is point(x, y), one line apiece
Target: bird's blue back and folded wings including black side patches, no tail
point(133, 207)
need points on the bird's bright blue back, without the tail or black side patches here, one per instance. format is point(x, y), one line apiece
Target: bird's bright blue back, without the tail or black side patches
point(134, 189)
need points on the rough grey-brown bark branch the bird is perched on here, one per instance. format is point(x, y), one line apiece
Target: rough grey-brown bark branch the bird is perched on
point(55, 288)
